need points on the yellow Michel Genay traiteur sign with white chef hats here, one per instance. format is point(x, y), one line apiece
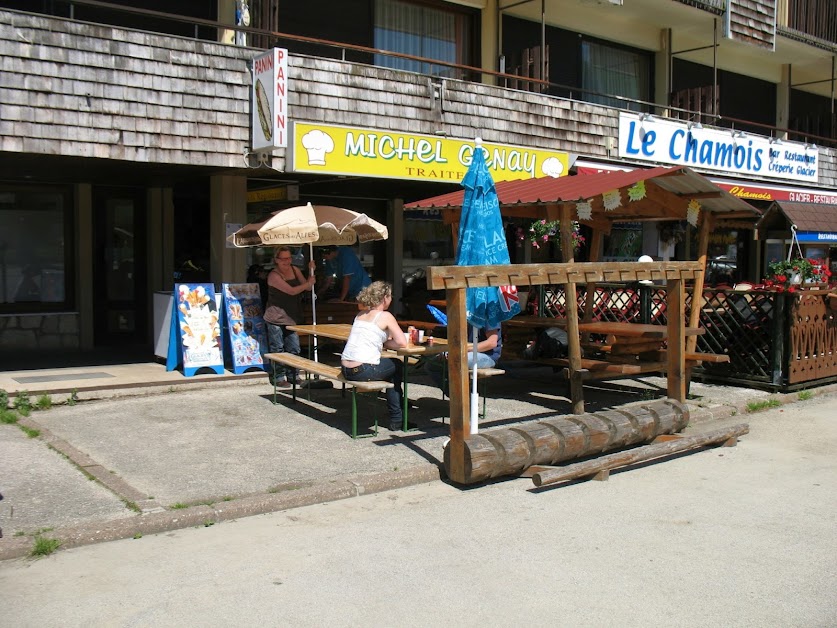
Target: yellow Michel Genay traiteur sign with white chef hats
point(332, 149)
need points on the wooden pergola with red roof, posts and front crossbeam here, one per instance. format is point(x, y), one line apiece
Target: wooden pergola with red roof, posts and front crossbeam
point(597, 201)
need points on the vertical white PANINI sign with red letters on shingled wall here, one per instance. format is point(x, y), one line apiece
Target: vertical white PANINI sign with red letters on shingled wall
point(269, 101)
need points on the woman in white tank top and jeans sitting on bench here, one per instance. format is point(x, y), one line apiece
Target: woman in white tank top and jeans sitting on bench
point(375, 329)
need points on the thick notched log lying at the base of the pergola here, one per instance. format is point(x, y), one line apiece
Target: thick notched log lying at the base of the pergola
point(509, 451)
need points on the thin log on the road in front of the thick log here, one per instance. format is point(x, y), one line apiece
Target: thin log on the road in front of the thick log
point(648, 452)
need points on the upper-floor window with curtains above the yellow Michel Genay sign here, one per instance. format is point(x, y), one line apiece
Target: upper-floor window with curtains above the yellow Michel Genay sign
point(421, 31)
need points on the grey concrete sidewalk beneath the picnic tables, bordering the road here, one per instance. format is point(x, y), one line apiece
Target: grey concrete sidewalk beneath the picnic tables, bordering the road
point(144, 451)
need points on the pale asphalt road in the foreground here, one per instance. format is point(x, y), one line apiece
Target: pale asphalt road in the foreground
point(741, 536)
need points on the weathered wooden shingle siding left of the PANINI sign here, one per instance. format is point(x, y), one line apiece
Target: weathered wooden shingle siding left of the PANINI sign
point(84, 90)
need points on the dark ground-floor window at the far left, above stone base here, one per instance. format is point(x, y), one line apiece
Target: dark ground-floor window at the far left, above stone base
point(34, 249)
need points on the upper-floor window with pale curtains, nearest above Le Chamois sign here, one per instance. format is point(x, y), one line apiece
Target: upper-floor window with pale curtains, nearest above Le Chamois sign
point(611, 70)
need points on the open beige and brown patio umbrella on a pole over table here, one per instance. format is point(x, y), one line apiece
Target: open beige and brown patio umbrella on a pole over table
point(316, 225)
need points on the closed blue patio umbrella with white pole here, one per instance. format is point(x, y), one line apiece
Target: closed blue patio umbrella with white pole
point(482, 241)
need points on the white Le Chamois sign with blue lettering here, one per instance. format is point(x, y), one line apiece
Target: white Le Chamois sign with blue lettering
point(670, 141)
